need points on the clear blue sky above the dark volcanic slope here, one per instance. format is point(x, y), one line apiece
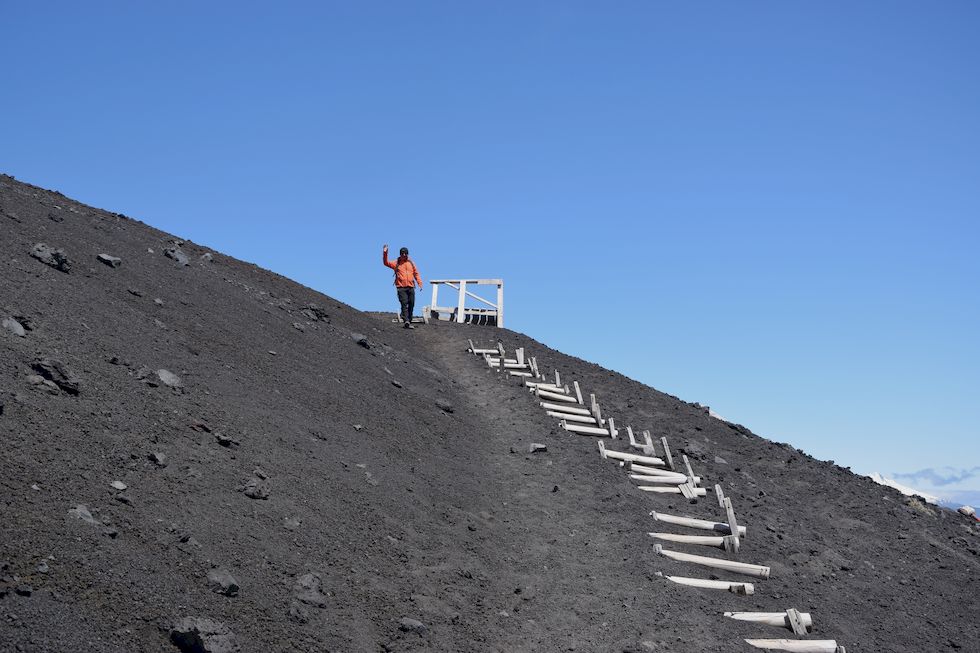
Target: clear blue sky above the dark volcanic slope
point(768, 207)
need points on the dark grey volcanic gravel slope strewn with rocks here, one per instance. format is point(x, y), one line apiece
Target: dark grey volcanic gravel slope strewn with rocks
point(312, 478)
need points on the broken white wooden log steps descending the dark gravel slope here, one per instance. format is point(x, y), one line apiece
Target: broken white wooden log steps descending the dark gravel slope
point(659, 472)
